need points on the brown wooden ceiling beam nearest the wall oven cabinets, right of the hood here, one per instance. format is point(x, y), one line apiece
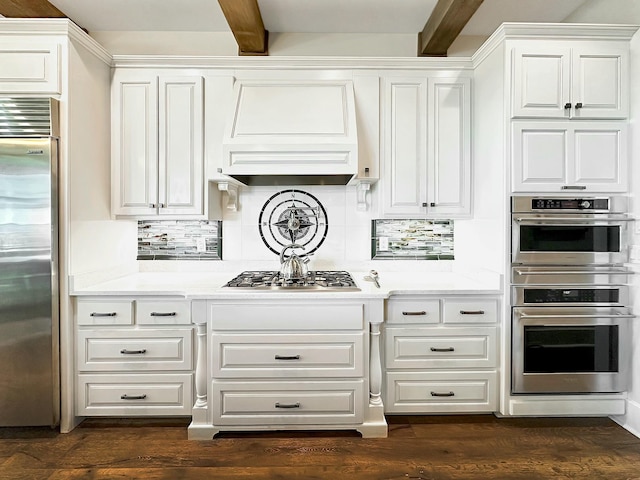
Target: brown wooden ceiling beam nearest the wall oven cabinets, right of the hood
point(444, 25)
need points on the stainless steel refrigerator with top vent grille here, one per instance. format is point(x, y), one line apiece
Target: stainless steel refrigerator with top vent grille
point(29, 294)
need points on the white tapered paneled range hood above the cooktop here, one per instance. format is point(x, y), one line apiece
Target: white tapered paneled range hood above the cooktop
point(291, 133)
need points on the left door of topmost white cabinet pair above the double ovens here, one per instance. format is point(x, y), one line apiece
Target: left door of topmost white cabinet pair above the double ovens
point(541, 81)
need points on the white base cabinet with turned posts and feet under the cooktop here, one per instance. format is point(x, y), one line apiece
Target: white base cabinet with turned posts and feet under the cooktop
point(294, 364)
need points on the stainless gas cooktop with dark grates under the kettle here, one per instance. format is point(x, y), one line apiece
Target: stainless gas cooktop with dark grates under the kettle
point(319, 280)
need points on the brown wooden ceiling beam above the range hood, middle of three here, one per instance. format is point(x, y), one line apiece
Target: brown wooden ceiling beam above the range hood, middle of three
point(245, 21)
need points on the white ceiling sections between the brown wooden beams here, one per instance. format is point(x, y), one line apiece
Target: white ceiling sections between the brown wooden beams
point(304, 16)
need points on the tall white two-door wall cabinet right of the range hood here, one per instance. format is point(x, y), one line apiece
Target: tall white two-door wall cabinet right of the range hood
point(426, 147)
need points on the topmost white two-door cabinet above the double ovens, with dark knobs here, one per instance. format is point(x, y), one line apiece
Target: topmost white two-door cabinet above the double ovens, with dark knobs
point(571, 80)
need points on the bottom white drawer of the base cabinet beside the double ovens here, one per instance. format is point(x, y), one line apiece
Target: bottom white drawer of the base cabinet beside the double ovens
point(441, 392)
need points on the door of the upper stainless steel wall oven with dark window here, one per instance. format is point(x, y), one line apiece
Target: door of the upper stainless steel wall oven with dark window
point(588, 241)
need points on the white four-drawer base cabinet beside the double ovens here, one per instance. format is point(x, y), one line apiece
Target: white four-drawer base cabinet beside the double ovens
point(441, 355)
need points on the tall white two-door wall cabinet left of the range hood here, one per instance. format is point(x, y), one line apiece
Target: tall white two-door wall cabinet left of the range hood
point(157, 150)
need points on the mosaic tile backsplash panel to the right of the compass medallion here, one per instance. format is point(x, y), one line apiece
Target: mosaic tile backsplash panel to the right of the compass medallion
point(412, 239)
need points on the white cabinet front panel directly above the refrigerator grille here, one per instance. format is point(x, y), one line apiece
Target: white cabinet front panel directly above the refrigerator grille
point(29, 67)
